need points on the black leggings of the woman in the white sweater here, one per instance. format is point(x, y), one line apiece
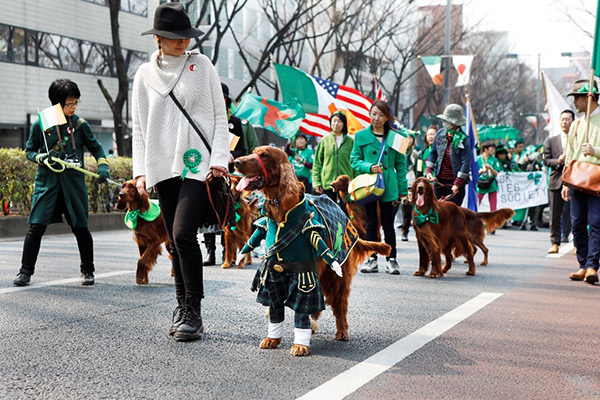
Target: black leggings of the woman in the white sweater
point(182, 204)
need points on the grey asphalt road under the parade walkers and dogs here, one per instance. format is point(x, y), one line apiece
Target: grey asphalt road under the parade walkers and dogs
point(519, 329)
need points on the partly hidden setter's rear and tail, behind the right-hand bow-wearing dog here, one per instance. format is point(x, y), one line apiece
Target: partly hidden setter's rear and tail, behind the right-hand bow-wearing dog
point(476, 229)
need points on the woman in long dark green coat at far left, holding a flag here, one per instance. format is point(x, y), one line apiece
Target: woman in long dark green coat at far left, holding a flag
point(59, 191)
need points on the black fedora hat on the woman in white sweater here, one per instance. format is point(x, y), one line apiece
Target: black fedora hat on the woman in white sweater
point(171, 22)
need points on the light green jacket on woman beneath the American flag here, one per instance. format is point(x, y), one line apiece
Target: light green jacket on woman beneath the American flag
point(331, 162)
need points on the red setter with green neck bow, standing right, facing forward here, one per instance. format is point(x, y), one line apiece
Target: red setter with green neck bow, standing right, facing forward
point(435, 238)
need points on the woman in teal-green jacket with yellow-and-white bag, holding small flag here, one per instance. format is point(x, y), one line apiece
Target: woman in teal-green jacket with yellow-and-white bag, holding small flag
point(368, 144)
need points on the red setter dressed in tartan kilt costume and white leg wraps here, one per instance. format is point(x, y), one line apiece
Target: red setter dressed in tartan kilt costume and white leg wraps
point(312, 250)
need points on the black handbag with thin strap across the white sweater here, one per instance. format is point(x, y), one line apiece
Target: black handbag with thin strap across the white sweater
point(218, 190)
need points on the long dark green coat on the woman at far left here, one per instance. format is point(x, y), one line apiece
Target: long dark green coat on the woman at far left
point(72, 183)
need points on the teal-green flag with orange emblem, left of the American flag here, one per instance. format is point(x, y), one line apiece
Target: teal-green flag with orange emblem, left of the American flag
point(282, 119)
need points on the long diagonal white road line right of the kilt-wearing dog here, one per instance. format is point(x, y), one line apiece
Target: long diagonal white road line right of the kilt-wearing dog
point(351, 380)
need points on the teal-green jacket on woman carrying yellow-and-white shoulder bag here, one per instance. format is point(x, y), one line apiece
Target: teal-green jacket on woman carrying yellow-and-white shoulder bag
point(365, 154)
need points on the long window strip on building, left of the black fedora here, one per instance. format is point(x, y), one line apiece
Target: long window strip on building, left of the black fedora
point(24, 46)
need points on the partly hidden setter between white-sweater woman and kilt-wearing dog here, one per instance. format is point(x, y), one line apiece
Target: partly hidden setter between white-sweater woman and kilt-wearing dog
point(236, 239)
